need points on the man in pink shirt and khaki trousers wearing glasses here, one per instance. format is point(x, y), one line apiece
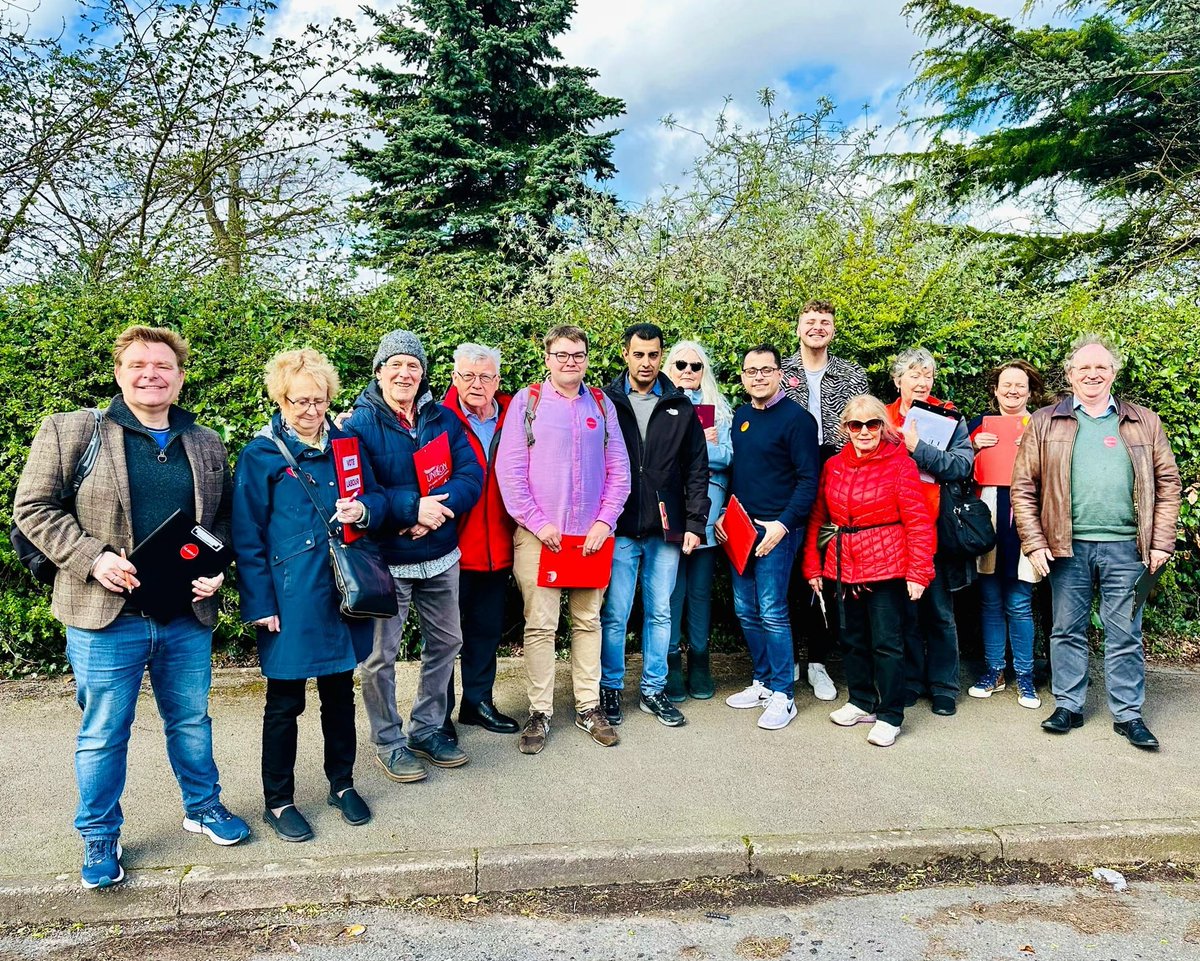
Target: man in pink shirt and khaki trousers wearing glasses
point(563, 471)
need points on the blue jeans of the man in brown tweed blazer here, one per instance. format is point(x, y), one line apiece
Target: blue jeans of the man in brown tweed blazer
point(109, 666)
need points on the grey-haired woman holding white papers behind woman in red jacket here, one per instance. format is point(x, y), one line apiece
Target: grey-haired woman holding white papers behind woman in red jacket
point(932, 639)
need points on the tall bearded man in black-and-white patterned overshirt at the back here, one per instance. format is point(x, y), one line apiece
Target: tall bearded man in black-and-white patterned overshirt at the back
point(823, 385)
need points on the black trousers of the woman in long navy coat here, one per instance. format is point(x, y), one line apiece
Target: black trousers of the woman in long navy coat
point(285, 705)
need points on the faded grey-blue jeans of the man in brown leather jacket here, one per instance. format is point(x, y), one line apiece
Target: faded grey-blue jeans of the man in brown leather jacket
point(1115, 566)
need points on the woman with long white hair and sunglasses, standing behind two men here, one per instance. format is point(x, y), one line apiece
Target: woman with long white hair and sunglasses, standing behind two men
point(689, 368)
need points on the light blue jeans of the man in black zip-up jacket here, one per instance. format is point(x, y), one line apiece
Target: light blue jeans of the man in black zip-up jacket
point(657, 562)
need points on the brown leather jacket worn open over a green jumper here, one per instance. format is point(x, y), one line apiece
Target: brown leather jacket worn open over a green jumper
point(1041, 490)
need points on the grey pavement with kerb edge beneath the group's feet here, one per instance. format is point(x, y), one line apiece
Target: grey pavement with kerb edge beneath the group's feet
point(716, 797)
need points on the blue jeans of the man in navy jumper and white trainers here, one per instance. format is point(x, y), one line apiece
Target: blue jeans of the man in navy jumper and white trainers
point(760, 602)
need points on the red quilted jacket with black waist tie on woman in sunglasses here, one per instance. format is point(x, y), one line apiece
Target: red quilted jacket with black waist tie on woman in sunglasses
point(881, 492)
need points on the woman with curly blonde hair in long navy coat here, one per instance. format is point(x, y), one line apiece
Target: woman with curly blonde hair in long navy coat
point(287, 590)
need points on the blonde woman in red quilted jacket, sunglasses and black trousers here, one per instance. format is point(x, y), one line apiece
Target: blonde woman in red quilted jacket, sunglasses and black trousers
point(881, 558)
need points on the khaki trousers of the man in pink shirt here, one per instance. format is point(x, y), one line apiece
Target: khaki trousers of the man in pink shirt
point(542, 606)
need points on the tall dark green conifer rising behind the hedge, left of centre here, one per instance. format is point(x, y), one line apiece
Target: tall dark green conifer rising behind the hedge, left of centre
point(485, 127)
